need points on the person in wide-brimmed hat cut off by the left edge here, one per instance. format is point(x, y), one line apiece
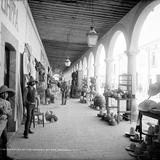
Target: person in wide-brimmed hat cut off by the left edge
point(5, 112)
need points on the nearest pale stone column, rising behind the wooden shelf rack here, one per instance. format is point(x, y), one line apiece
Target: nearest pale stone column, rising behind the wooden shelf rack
point(132, 70)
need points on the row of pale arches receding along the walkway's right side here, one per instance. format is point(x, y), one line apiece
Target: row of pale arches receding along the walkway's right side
point(106, 60)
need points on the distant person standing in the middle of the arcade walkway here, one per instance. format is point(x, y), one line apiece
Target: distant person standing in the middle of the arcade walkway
point(64, 90)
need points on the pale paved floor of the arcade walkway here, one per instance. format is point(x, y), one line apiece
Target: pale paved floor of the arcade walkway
point(78, 134)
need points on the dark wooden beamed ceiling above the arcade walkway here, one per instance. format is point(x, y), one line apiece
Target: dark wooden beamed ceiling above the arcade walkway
point(63, 24)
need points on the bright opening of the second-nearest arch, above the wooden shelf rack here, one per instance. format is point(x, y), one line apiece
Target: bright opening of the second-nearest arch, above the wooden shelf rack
point(117, 57)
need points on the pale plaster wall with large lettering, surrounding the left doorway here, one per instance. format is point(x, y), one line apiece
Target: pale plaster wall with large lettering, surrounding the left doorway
point(17, 28)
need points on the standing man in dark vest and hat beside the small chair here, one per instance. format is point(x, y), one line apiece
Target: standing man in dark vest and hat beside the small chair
point(29, 102)
